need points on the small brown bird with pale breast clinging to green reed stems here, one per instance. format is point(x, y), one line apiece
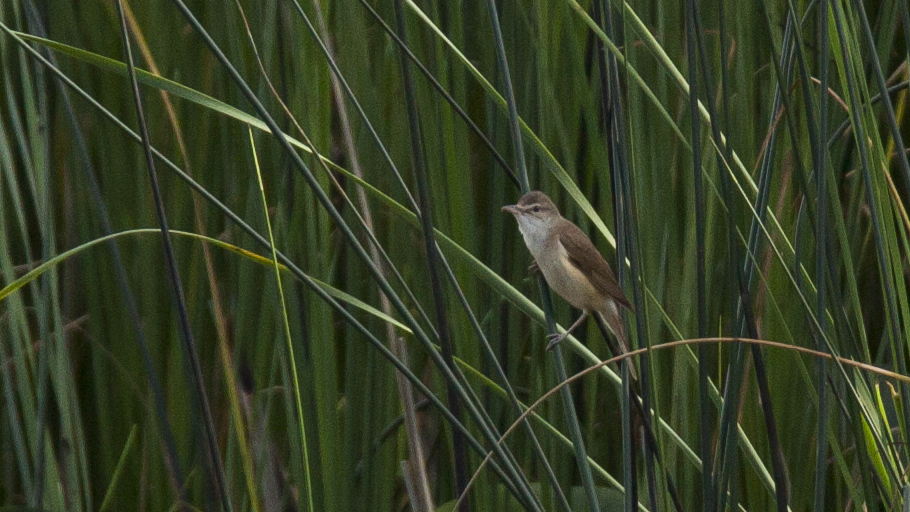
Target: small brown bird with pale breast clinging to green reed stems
point(570, 264)
